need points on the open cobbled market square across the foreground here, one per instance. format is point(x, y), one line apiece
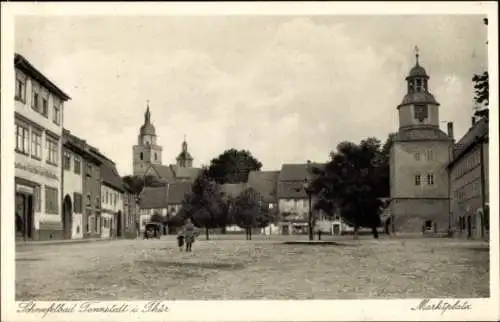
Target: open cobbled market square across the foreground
point(237, 269)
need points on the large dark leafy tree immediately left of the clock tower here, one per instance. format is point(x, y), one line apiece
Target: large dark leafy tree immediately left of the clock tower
point(353, 182)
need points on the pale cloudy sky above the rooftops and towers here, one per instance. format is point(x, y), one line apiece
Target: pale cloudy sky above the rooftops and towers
point(288, 89)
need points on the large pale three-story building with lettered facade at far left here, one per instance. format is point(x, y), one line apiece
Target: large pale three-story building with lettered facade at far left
point(38, 172)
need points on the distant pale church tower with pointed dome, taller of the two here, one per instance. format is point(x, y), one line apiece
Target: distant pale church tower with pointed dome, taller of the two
point(147, 152)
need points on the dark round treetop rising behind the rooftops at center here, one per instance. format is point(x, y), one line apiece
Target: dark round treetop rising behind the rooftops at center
point(233, 166)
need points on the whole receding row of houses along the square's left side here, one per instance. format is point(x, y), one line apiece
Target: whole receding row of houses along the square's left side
point(64, 187)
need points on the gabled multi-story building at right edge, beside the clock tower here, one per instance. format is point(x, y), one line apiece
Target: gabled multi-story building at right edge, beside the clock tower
point(469, 182)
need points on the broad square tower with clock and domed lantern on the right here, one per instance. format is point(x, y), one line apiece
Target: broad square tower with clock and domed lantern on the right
point(419, 155)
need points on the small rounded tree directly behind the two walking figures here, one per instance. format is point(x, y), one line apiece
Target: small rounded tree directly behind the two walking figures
point(204, 204)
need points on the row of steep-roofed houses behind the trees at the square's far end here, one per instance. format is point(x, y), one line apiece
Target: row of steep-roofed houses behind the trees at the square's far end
point(281, 190)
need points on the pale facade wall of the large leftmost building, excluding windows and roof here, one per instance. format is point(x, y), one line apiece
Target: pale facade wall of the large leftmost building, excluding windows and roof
point(37, 172)
